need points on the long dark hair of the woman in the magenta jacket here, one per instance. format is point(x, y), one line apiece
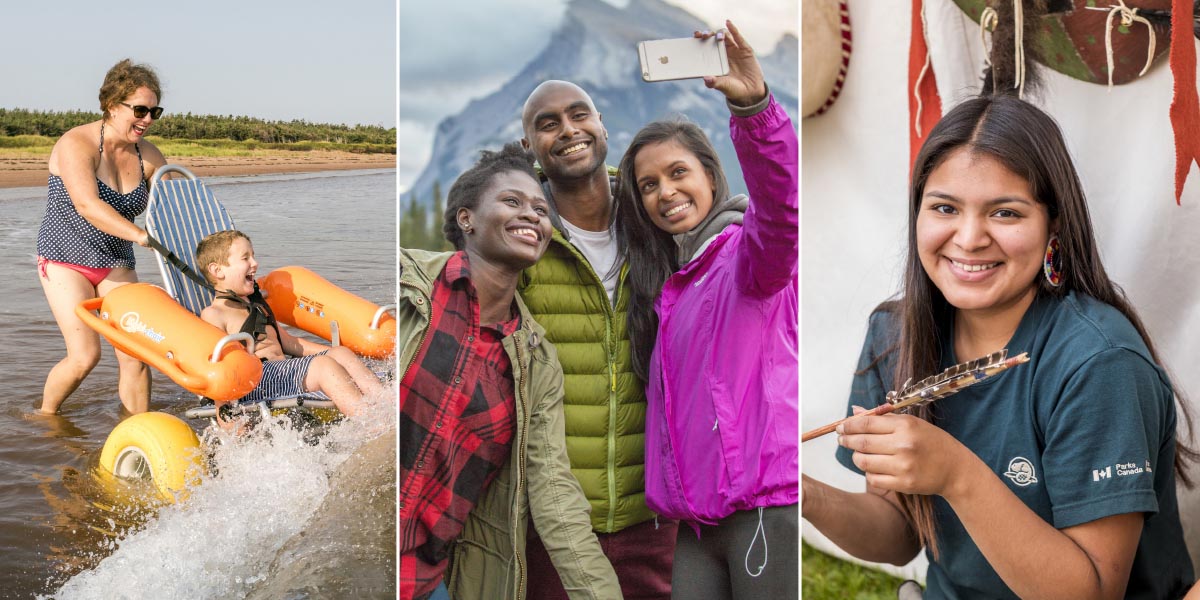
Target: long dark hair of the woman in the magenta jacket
point(649, 251)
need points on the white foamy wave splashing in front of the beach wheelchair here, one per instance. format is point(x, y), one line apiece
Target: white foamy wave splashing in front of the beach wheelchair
point(278, 514)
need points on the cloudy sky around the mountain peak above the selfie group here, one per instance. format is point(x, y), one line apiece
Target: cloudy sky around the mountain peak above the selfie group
point(436, 34)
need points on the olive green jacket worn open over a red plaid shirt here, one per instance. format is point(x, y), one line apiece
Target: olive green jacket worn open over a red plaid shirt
point(488, 561)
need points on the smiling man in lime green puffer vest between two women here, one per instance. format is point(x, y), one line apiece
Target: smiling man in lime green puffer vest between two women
point(579, 293)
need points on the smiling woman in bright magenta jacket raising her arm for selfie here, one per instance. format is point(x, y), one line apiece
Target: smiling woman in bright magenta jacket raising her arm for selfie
point(713, 323)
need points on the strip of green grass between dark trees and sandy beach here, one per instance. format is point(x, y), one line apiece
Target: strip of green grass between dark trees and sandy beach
point(27, 147)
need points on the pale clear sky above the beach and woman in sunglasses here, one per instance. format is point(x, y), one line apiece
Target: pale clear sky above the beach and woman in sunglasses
point(278, 61)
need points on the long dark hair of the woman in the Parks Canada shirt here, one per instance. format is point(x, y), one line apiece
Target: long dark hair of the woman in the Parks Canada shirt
point(1029, 143)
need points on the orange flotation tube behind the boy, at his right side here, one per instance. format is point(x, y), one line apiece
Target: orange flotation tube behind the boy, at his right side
point(303, 299)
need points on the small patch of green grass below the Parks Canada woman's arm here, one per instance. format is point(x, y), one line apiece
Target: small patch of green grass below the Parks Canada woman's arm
point(825, 578)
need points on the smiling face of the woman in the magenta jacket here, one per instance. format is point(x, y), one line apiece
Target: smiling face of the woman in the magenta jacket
point(675, 188)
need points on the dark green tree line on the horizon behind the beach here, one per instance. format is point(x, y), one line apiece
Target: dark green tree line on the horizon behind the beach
point(20, 122)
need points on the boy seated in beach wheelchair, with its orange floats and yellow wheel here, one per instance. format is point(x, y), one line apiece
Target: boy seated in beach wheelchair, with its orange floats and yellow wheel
point(205, 356)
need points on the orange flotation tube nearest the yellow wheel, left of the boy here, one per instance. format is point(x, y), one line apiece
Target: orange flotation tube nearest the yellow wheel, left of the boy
point(143, 321)
